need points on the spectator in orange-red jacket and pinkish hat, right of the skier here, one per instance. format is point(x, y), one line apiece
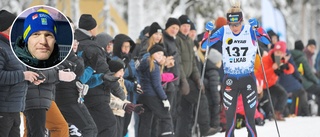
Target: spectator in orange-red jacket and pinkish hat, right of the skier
point(275, 63)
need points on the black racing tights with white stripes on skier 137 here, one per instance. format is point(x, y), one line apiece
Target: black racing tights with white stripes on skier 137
point(231, 88)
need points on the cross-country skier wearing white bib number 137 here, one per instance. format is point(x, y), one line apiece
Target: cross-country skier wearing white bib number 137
point(239, 52)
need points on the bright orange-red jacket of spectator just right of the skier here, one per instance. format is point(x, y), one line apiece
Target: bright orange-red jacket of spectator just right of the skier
point(272, 77)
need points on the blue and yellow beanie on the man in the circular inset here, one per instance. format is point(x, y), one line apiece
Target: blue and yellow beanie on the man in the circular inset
point(38, 21)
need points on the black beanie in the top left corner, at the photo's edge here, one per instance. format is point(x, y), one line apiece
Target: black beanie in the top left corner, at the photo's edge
point(6, 20)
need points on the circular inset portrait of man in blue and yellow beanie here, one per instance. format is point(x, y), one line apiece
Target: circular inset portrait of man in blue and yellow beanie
point(41, 37)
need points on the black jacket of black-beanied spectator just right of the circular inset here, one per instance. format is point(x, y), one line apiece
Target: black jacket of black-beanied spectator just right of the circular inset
point(94, 57)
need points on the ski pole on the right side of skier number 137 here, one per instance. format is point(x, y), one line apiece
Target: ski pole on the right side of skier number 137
point(265, 79)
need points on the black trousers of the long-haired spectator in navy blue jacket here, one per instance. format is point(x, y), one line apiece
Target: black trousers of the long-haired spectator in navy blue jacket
point(154, 108)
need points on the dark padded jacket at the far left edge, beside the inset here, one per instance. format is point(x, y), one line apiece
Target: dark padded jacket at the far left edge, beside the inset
point(13, 86)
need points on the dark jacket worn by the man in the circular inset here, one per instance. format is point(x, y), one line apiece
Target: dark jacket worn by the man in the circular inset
point(21, 50)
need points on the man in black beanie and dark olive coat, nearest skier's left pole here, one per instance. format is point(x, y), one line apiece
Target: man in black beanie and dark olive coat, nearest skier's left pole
point(188, 70)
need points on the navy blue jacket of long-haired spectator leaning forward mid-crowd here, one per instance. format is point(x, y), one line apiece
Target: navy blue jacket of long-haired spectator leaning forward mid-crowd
point(151, 81)
